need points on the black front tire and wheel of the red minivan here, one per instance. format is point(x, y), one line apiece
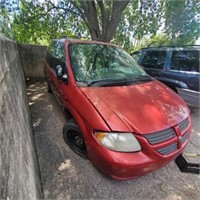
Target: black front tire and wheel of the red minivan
point(73, 137)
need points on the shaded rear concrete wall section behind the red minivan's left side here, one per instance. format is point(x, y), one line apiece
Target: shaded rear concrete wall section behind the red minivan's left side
point(32, 58)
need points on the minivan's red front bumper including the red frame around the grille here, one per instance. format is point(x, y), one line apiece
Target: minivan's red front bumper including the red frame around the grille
point(120, 165)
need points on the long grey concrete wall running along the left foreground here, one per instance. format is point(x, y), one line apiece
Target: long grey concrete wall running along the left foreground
point(19, 176)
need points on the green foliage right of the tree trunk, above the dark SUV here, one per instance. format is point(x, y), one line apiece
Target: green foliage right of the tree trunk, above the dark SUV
point(158, 23)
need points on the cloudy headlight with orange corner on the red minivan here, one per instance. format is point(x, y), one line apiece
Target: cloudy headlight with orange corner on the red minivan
point(123, 142)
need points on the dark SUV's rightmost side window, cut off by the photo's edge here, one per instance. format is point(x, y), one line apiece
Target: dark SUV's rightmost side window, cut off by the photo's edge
point(185, 60)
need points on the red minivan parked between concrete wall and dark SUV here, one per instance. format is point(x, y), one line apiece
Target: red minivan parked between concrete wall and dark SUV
point(124, 121)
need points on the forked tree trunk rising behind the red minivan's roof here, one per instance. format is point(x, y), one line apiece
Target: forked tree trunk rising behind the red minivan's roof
point(101, 27)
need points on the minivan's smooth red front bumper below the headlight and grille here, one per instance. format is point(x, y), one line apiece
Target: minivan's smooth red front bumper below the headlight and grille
point(124, 166)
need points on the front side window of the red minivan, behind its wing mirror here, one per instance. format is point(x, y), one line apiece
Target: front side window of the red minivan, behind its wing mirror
point(59, 56)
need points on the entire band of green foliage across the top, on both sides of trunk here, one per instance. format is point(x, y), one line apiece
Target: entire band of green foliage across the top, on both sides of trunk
point(34, 22)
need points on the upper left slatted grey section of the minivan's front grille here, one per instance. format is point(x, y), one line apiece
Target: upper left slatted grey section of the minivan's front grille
point(160, 136)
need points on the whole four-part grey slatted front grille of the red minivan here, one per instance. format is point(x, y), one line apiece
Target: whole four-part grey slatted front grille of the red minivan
point(164, 135)
